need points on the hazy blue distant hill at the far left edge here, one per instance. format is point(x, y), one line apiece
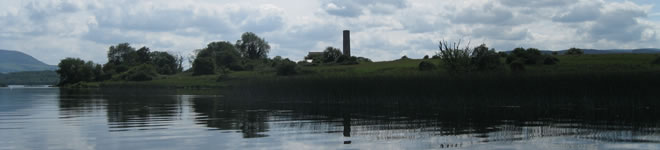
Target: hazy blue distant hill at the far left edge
point(15, 61)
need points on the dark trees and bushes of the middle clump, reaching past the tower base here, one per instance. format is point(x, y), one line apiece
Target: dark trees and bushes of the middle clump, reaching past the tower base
point(251, 53)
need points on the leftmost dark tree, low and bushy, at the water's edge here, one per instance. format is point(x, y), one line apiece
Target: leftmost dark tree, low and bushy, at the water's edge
point(74, 70)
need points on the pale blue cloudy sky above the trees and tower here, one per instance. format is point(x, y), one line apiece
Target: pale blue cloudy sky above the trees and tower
point(51, 30)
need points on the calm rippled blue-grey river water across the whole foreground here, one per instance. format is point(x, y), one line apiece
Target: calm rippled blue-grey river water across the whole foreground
point(52, 118)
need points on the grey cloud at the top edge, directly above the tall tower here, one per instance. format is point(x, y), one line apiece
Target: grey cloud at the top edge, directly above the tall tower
point(355, 8)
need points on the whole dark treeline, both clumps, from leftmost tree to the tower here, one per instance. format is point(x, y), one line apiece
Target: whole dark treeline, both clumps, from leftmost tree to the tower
point(250, 52)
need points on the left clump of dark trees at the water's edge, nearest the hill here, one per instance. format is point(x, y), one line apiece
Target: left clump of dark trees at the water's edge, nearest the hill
point(124, 63)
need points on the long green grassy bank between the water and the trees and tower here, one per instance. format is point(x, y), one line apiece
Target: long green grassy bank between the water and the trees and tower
point(619, 66)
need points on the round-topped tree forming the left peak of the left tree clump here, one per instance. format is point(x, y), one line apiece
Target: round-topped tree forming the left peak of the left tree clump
point(122, 54)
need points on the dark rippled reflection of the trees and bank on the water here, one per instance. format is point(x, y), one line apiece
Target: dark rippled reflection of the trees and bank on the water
point(412, 120)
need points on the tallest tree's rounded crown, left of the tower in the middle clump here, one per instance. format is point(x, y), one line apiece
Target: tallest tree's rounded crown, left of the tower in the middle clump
point(252, 46)
